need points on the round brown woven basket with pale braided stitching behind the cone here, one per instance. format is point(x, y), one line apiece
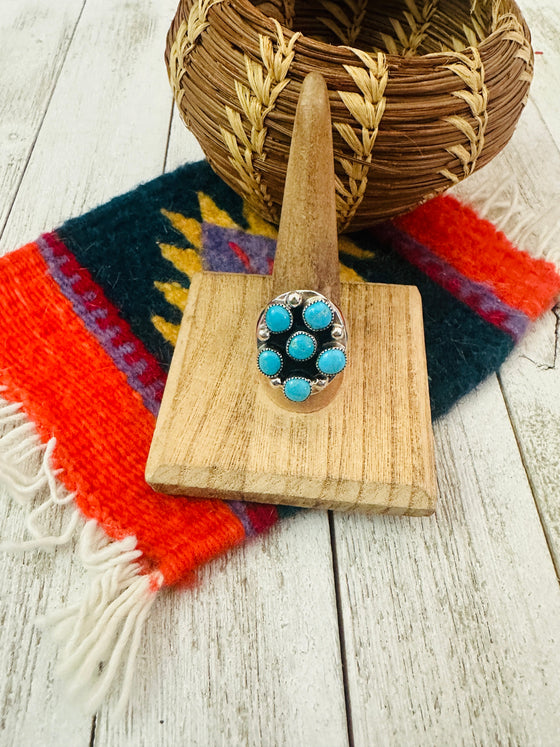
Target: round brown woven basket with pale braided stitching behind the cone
point(422, 92)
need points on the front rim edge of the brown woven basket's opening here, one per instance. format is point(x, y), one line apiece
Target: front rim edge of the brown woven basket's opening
point(341, 49)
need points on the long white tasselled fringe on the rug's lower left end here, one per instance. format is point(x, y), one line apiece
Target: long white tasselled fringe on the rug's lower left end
point(102, 633)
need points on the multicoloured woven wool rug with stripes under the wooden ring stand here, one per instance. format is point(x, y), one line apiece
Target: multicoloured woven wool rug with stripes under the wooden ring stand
point(90, 316)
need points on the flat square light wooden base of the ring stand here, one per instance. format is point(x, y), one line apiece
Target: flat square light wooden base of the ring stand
point(220, 435)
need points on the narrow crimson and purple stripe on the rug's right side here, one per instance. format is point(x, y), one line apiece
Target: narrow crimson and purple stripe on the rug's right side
point(477, 296)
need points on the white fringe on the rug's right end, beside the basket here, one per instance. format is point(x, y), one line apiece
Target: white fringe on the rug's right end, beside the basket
point(535, 232)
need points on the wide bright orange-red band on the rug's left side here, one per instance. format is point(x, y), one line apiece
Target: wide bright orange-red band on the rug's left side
point(71, 389)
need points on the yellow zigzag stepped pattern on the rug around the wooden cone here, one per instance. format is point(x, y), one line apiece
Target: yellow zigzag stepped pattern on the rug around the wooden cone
point(188, 261)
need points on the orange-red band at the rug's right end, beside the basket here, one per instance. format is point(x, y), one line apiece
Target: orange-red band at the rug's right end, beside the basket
point(478, 250)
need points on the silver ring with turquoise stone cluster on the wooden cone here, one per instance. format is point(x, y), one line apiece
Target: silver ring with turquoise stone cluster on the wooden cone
point(301, 343)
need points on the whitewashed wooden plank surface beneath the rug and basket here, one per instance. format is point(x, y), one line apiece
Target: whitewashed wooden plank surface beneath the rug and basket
point(333, 630)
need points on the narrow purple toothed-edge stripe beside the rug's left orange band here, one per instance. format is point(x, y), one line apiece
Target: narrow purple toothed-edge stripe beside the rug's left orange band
point(120, 352)
